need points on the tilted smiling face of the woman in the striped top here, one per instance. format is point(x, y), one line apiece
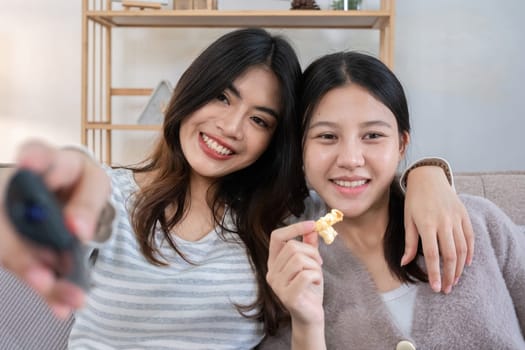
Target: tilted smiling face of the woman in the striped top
point(231, 132)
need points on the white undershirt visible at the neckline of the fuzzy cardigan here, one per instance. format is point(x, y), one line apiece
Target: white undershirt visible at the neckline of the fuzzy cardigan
point(400, 302)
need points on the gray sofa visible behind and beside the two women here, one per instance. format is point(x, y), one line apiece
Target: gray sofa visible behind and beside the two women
point(27, 324)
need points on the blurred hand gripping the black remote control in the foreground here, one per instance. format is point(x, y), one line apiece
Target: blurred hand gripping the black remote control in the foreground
point(83, 188)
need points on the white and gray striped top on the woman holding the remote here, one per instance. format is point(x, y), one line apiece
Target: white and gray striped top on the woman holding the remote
point(136, 305)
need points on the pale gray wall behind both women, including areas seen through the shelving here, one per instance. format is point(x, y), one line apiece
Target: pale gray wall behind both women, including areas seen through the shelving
point(461, 62)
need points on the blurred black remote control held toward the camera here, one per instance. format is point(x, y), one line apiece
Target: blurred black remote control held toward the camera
point(37, 215)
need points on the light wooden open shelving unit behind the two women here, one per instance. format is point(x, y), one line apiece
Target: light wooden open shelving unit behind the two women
point(98, 20)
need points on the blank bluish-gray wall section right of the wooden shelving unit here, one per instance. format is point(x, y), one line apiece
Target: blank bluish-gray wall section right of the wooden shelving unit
point(463, 66)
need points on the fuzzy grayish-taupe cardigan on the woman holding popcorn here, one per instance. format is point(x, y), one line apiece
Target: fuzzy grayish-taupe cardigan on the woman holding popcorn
point(486, 309)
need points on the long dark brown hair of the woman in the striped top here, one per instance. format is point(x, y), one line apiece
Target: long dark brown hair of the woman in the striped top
point(260, 196)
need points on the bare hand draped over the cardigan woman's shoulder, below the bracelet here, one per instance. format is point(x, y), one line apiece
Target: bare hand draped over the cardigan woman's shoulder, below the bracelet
point(434, 212)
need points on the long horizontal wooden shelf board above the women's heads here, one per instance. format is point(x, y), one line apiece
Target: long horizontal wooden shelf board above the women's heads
point(233, 19)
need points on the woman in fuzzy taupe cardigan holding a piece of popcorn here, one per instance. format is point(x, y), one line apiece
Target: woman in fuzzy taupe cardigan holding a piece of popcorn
point(354, 294)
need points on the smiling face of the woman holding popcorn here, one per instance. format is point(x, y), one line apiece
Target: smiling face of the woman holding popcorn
point(352, 150)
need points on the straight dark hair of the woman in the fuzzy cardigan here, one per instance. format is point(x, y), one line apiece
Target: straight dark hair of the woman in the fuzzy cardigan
point(343, 68)
